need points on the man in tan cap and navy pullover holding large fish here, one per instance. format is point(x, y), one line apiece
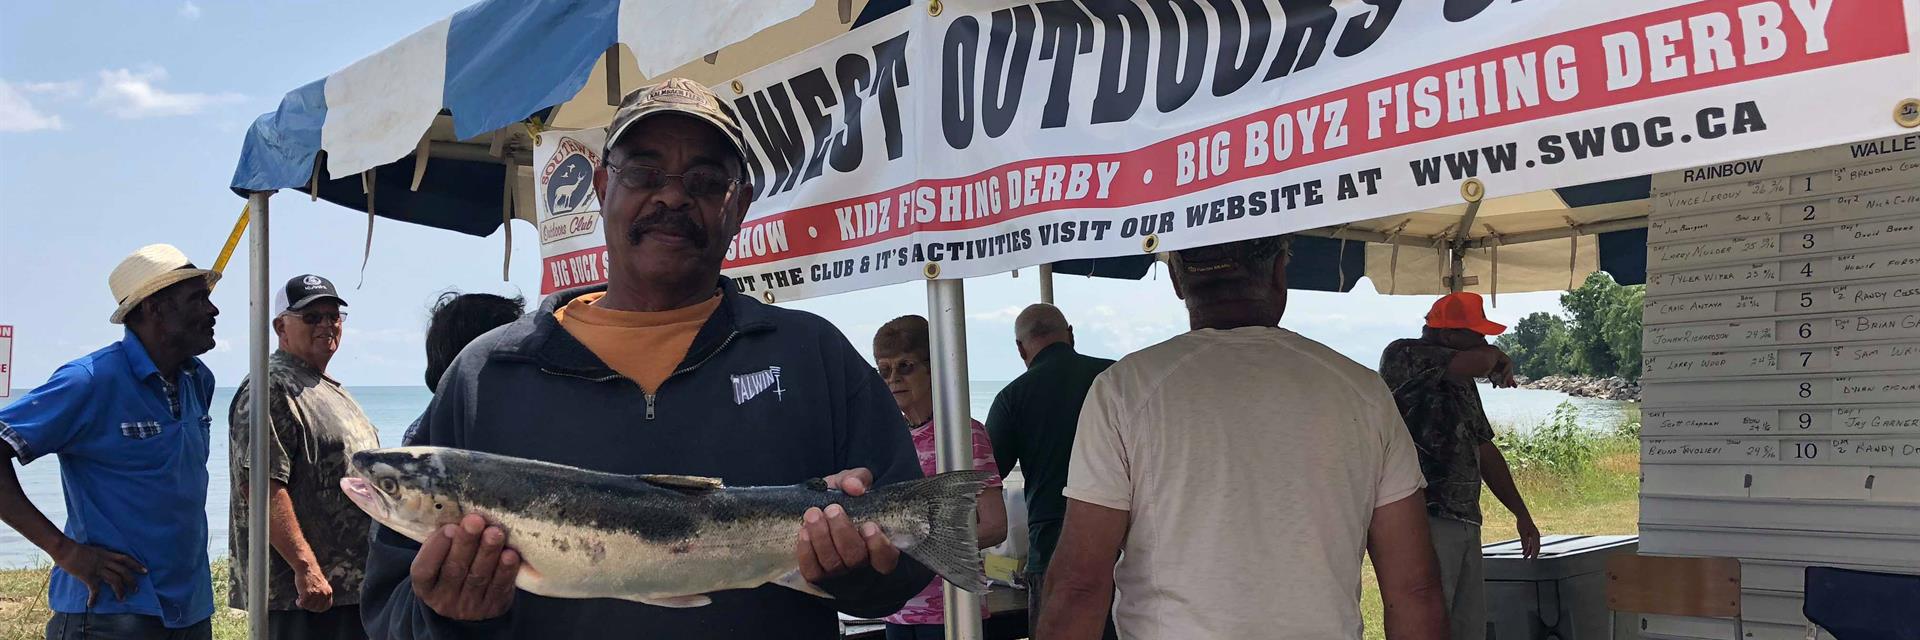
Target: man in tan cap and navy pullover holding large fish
point(673, 380)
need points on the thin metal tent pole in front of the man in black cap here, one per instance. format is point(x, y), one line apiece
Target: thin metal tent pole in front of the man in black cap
point(256, 501)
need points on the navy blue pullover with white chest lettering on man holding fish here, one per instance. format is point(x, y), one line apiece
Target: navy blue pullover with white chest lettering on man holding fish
point(763, 397)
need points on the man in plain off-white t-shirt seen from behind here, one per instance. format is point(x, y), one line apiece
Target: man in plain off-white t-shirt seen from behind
point(1226, 483)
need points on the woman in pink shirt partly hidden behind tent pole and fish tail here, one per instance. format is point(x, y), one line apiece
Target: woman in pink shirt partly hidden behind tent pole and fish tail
point(901, 353)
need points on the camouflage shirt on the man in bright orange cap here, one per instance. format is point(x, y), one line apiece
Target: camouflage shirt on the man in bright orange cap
point(1447, 422)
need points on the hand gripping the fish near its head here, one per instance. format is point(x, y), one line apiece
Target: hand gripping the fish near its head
point(466, 572)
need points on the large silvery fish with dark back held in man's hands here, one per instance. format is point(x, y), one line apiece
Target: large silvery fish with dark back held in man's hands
point(656, 539)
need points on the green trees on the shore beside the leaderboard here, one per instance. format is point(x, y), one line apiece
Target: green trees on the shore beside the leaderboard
point(1598, 335)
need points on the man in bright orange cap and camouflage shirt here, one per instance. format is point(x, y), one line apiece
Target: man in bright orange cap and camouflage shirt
point(1433, 382)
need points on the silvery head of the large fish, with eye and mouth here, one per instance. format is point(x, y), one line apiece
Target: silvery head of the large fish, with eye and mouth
point(406, 489)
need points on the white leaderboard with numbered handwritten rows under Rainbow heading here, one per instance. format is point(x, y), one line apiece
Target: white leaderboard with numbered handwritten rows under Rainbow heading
point(1783, 316)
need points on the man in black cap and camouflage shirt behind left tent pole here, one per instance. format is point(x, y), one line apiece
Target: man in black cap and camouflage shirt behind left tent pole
point(318, 535)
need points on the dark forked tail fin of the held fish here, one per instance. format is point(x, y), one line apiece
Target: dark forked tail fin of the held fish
point(949, 549)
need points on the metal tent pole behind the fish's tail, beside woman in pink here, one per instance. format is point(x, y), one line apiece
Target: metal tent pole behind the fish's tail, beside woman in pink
point(953, 422)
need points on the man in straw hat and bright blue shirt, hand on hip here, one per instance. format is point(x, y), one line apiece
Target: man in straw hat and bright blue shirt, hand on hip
point(132, 430)
